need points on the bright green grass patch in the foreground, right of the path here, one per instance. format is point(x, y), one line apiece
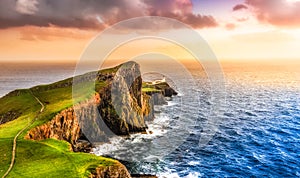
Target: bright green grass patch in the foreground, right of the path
point(53, 158)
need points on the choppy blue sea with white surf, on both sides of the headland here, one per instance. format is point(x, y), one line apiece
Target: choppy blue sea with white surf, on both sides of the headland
point(258, 128)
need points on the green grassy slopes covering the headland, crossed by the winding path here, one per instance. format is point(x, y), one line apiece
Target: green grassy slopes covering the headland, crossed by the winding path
point(48, 158)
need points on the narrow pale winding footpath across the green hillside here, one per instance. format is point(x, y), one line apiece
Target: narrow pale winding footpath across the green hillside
point(19, 133)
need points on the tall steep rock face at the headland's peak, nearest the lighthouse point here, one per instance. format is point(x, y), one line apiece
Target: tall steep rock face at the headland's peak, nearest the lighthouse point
point(121, 105)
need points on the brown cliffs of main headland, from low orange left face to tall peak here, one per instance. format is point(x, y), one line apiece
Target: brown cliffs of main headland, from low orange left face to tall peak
point(119, 108)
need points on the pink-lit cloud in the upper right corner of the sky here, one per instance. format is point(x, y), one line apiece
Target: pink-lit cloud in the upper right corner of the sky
point(277, 12)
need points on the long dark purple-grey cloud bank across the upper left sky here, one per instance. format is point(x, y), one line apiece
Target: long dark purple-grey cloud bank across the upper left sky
point(86, 13)
